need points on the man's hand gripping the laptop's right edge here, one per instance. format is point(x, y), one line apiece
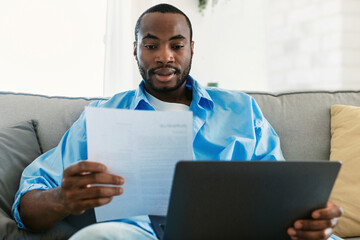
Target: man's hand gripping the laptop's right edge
point(320, 227)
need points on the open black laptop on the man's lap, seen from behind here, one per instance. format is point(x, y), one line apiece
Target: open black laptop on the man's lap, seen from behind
point(243, 199)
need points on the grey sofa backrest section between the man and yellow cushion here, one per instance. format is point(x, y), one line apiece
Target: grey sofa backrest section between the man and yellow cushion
point(302, 120)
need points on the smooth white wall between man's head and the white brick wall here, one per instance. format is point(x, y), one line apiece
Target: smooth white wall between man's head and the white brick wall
point(230, 45)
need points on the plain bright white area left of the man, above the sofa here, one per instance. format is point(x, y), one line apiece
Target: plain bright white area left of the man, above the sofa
point(52, 47)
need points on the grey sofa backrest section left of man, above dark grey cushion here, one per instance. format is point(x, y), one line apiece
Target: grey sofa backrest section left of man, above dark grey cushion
point(54, 115)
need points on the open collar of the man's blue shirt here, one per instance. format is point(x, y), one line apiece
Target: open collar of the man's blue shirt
point(200, 96)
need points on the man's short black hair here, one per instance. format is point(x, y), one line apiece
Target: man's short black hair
point(162, 8)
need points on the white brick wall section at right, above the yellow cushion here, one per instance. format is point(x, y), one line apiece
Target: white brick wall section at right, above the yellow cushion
point(313, 44)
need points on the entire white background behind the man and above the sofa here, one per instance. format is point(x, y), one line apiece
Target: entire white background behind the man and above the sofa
point(57, 47)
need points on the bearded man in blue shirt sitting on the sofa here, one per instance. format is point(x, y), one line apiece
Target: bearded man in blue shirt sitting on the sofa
point(228, 125)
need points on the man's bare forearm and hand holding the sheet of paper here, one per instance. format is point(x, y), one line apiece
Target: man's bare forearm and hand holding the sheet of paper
point(85, 185)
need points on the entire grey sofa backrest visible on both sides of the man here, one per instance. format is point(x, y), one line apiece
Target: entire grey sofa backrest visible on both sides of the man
point(301, 119)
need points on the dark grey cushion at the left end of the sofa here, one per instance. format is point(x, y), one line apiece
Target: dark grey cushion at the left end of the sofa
point(19, 146)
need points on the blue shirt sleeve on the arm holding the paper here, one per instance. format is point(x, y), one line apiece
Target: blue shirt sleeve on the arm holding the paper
point(46, 171)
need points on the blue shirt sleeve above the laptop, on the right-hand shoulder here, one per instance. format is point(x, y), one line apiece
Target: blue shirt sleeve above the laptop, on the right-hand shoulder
point(267, 146)
